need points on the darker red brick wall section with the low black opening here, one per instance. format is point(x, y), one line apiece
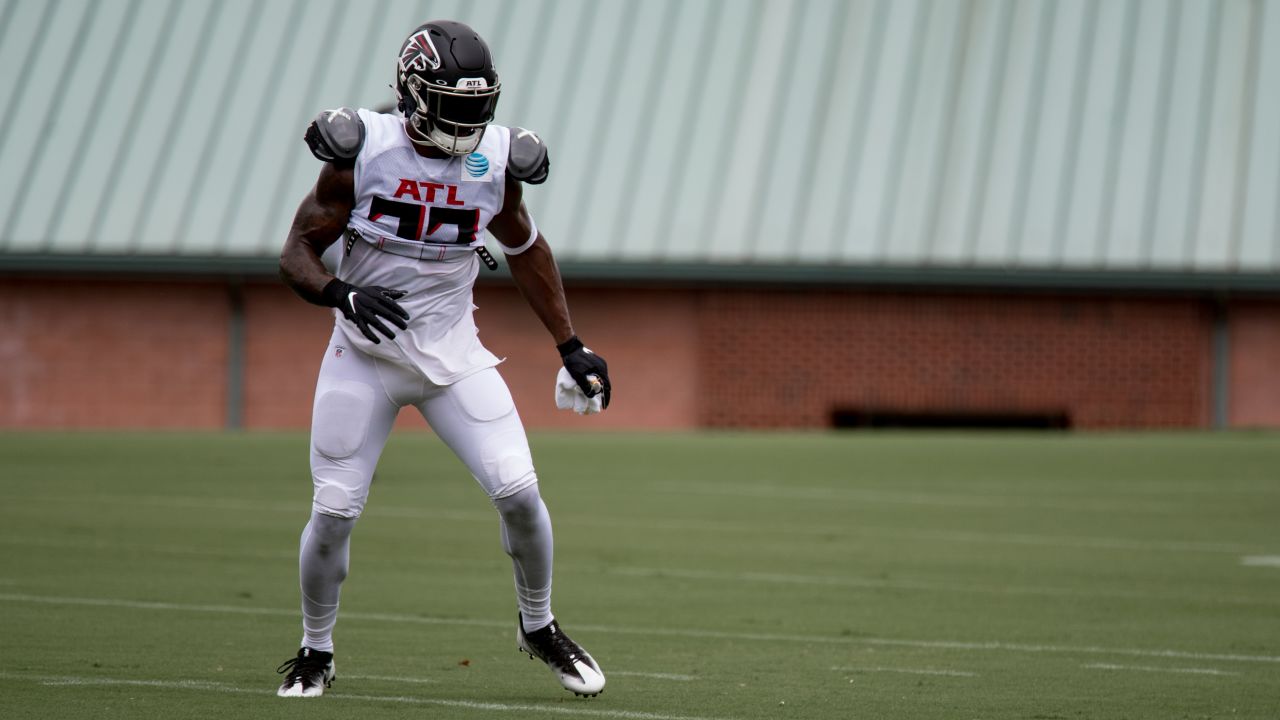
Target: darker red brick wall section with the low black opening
point(788, 359)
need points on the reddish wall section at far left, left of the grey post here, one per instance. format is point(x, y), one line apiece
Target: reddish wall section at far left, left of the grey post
point(99, 354)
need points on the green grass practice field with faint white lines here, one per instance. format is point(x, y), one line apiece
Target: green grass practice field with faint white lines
point(714, 577)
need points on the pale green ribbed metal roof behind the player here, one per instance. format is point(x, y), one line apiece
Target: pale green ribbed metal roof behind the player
point(842, 138)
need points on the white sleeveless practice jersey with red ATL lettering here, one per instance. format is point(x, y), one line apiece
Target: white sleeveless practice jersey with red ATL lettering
point(444, 204)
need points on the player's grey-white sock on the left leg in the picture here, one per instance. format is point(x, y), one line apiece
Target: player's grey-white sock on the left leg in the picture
point(323, 558)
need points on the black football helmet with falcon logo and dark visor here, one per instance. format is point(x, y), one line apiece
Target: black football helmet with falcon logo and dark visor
point(446, 86)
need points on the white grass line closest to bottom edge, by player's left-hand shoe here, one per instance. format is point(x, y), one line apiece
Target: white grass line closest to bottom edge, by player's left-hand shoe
point(441, 703)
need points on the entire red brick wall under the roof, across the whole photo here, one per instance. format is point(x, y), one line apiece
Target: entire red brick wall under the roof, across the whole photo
point(120, 354)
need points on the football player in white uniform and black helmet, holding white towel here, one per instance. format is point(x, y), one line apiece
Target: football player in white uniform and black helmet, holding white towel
point(412, 195)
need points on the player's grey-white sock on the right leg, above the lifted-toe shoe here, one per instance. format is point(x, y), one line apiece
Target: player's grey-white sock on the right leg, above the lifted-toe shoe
point(527, 536)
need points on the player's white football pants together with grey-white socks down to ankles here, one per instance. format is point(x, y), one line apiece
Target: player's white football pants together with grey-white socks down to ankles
point(358, 399)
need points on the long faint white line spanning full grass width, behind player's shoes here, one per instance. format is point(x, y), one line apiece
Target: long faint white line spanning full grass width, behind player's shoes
point(665, 632)
